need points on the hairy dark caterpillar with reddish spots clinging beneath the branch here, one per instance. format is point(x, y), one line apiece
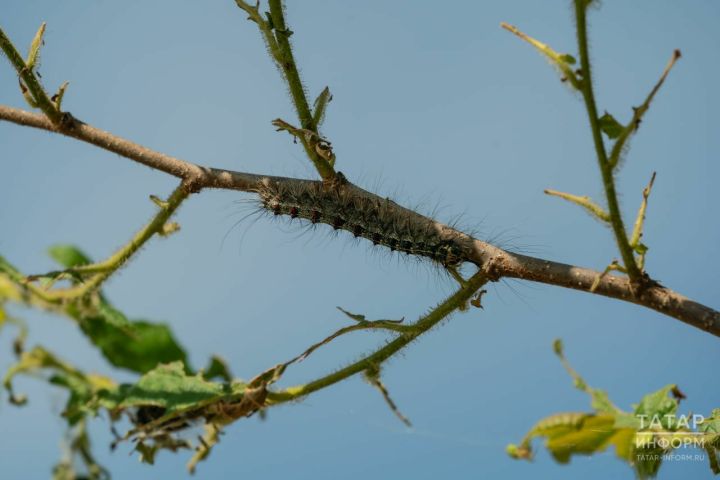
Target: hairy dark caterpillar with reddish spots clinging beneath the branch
point(381, 221)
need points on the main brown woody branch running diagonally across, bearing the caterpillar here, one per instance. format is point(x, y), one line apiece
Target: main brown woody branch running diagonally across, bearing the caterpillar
point(496, 262)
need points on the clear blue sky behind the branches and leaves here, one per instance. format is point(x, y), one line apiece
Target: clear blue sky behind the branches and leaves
point(437, 105)
